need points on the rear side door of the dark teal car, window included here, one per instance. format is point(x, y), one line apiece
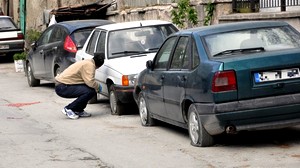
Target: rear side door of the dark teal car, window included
point(175, 79)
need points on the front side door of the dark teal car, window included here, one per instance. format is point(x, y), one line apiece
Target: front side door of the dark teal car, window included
point(156, 77)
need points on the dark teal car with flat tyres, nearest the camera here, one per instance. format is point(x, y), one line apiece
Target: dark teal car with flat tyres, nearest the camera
point(223, 78)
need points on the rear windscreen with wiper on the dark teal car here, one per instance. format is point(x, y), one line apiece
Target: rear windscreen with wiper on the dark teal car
point(264, 39)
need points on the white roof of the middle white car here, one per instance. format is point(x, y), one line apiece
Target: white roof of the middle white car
point(125, 25)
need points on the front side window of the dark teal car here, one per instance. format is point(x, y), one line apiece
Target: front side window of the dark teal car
point(162, 57)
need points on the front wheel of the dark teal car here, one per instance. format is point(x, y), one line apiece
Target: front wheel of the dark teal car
point(146, 120)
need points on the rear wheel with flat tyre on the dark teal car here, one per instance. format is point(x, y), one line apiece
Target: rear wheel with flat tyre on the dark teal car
point(198, 135)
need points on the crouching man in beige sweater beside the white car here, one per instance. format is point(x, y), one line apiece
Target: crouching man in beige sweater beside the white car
point(78, 81)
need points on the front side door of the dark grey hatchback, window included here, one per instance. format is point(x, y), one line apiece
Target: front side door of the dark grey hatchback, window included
point(38, 53)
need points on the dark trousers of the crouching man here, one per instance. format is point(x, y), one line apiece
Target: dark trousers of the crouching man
point(82, 92)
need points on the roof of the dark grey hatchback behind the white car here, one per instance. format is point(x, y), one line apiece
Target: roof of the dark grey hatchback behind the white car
point(79, 24)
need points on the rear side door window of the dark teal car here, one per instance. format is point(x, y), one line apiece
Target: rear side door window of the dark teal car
point(180, 57)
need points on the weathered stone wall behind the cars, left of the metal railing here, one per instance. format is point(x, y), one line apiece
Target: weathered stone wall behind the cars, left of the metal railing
point(123, 10)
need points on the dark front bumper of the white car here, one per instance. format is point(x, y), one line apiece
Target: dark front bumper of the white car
point(124, 93)
